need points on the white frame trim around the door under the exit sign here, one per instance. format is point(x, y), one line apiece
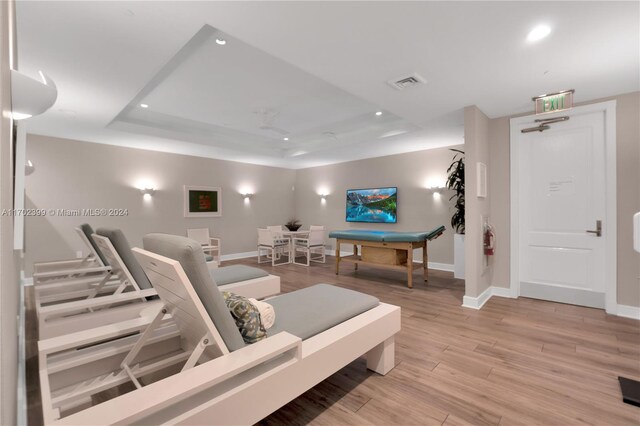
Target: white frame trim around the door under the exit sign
point(609, 109)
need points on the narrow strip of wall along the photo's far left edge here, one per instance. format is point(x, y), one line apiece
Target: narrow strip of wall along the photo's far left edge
point(9, 287)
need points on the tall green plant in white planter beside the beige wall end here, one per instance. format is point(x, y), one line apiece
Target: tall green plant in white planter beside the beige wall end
point(455, 182)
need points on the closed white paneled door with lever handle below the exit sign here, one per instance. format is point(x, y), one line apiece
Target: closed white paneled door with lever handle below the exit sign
point(565, 225)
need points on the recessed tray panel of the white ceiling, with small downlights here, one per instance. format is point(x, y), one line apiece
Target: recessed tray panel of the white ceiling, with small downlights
point(246, 100)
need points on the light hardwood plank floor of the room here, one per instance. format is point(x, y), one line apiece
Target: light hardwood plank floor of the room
point(515, 362)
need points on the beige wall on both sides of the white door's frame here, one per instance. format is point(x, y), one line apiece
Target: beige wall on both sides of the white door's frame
point(628, 194)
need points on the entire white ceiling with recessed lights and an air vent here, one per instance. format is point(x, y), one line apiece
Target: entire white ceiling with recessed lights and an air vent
point(317, 70)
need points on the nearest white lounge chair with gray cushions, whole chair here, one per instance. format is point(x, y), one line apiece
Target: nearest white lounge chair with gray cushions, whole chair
point(223, 380)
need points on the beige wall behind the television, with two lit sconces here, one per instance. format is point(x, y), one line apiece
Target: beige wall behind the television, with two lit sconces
point(412, 173)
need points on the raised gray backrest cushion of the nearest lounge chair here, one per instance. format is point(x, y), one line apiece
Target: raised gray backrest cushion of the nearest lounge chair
point(189, 253)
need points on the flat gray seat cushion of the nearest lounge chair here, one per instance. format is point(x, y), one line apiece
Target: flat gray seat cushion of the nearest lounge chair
point(307, 312)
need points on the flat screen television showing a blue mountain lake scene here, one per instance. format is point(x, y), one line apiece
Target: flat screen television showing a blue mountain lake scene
point(373, 205)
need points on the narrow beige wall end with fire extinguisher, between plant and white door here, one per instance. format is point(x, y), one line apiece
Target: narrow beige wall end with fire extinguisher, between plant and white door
point(478, 275)
